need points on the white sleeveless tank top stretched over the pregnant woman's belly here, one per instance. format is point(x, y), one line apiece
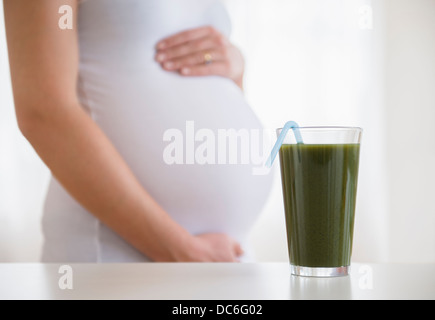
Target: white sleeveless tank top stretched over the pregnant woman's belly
point(136, 103)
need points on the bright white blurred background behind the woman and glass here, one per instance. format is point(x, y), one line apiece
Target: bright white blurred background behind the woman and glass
point(315, 62)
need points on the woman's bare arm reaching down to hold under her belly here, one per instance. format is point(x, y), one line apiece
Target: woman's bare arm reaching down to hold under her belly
point(44, 69)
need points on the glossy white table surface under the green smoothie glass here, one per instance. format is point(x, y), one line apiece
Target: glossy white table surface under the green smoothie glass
point(218, 281)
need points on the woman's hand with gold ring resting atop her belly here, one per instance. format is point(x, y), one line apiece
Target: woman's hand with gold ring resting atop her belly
point(202, 51)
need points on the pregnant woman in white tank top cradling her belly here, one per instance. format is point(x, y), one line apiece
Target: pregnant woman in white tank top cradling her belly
point(96, 100)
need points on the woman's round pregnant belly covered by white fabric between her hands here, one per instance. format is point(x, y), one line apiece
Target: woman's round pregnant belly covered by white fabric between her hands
point(160, 125)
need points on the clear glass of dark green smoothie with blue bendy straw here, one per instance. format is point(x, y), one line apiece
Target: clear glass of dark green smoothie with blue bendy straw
point(319, 180)
